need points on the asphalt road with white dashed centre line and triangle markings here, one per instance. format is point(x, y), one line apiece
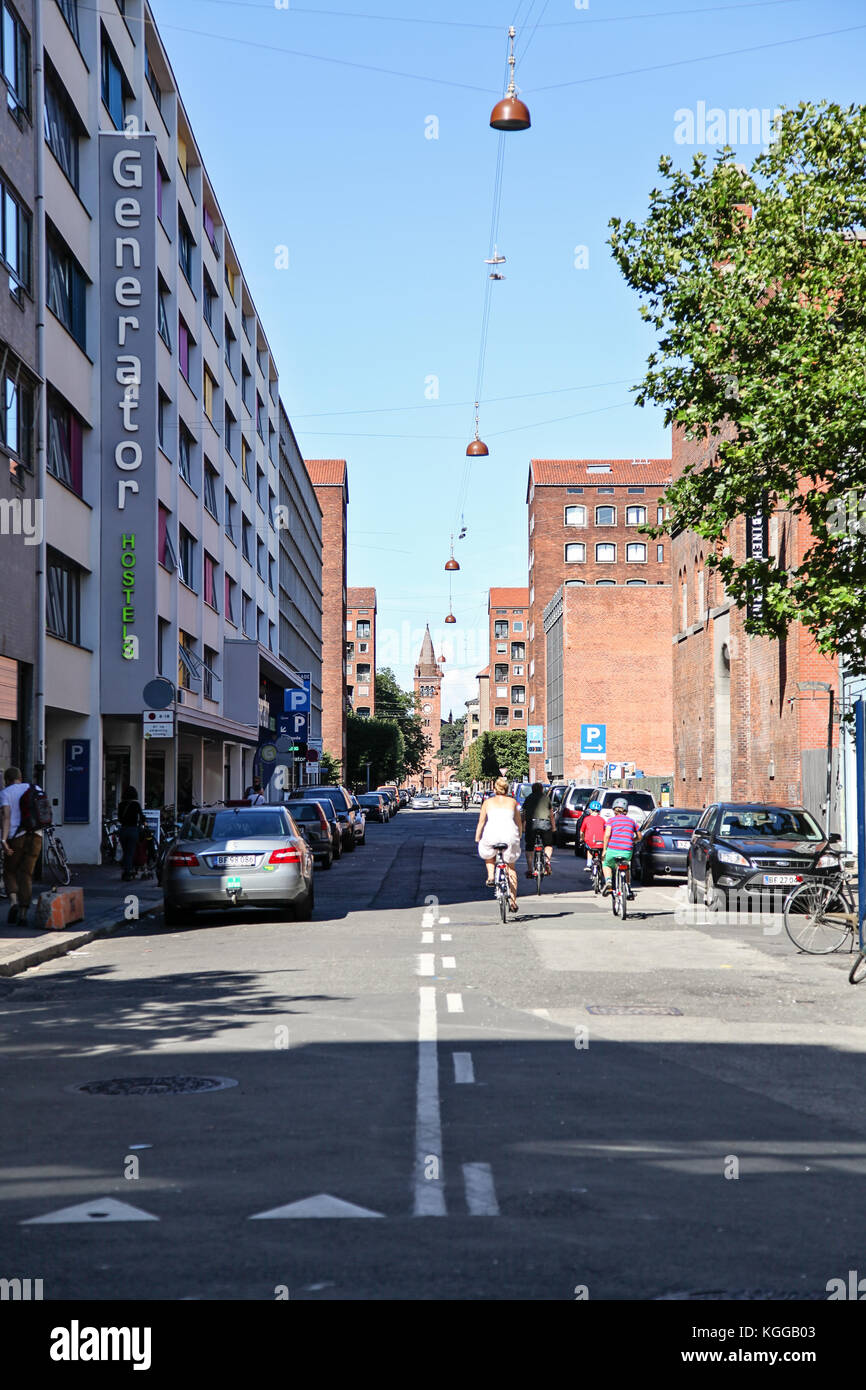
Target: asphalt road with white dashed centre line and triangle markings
point(498, 1096)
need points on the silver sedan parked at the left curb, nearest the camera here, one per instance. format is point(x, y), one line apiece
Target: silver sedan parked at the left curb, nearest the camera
point(252, 857)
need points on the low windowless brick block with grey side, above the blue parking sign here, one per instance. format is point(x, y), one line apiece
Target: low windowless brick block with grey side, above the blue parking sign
point(590, 683)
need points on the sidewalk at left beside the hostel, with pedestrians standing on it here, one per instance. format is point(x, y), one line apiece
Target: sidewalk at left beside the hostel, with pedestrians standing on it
point(106, 904)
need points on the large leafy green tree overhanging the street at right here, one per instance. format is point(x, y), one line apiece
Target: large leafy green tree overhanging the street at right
point(761, 358)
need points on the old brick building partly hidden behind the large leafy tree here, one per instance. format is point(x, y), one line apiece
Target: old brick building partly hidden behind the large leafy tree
point(744, 730)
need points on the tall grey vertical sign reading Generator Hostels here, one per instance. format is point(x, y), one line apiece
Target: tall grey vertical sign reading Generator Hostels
point(129, 329)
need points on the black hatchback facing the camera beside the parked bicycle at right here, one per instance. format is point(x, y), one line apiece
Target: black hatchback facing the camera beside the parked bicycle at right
point(755, 849)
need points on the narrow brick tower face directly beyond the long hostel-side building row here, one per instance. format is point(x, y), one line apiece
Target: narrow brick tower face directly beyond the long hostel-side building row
point(332, 483)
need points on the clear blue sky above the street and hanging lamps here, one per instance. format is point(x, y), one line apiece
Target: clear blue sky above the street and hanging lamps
point(387, 234)
